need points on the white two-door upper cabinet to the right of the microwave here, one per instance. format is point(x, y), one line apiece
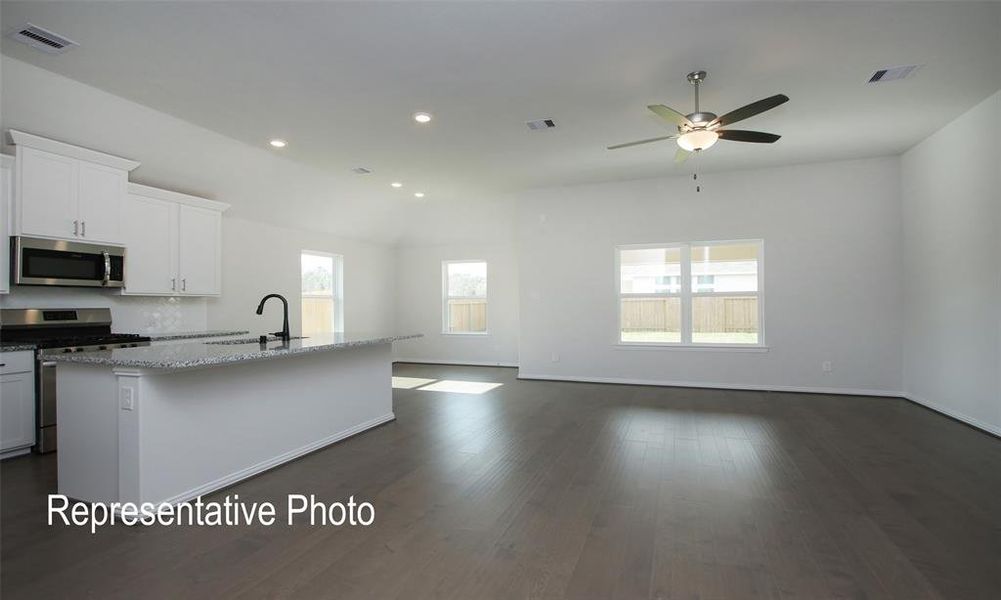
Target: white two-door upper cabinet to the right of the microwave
point(174, 244)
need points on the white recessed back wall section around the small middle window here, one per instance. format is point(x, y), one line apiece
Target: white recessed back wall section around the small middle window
point(419, 308)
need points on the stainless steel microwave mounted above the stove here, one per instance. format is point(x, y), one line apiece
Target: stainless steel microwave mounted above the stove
point(39, 262)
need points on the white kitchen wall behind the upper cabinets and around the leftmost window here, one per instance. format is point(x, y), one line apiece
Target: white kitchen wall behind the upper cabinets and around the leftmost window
point(258, 183)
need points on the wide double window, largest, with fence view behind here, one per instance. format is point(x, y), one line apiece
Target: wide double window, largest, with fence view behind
point(700, 294)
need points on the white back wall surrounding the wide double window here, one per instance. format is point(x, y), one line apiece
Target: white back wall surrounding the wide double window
point(832, 283)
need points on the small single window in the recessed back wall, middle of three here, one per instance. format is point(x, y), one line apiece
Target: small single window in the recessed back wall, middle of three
point(464, 286)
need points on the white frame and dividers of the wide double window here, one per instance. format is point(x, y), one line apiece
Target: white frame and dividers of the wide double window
point(686, 295)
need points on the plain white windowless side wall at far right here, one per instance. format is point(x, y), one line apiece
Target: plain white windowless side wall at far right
point(951, 191)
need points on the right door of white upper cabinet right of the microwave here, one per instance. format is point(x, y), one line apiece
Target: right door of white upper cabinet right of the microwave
point(200, 247)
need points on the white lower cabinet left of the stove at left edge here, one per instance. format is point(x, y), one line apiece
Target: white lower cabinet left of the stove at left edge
point(18, 402)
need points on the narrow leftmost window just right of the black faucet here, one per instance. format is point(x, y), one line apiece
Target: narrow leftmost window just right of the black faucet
point(323, 293)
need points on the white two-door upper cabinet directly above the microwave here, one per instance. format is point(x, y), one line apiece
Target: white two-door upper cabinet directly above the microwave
point(69, 193)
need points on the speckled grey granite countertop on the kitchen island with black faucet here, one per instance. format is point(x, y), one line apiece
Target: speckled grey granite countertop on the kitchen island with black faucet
point(193, 355)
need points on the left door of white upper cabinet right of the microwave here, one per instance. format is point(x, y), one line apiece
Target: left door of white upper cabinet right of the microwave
point(150, 229)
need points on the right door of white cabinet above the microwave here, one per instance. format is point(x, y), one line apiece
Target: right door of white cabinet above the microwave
point(102, 191)
